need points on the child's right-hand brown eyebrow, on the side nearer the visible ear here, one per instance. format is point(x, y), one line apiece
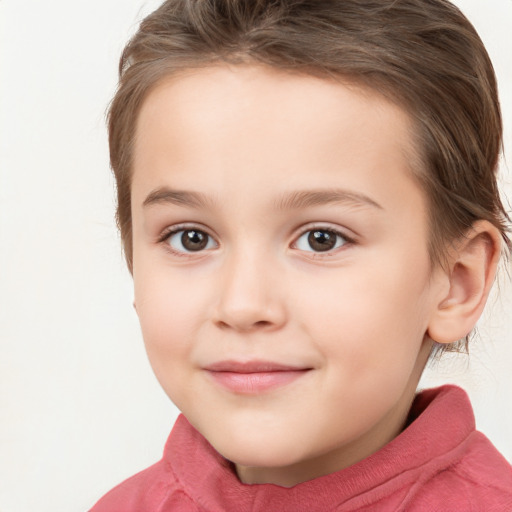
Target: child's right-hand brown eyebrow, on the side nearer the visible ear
point(308, 198)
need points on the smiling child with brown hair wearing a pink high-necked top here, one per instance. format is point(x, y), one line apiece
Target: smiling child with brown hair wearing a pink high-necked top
point(308, 204)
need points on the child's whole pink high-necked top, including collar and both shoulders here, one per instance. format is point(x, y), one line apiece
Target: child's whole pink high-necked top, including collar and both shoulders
point(438, 463)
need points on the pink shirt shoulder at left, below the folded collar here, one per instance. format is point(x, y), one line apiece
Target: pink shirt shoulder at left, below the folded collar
point(146, 491)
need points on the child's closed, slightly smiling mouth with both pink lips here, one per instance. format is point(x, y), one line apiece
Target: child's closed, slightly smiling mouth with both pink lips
point(253, 377)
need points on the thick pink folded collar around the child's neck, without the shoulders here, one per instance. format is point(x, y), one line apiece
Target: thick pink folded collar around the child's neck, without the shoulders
point(440, 422)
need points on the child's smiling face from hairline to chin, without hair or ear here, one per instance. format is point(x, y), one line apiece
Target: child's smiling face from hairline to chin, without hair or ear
point(281, 270)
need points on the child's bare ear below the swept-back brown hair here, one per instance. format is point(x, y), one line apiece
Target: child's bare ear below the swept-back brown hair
point(470, 273)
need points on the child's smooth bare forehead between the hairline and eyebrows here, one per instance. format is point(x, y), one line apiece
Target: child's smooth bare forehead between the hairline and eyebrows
point(228, 124)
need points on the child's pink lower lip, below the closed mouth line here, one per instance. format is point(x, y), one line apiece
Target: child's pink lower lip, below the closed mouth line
point(255, 383)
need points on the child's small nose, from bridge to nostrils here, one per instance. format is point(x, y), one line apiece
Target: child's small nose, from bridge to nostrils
point(250, 295)
